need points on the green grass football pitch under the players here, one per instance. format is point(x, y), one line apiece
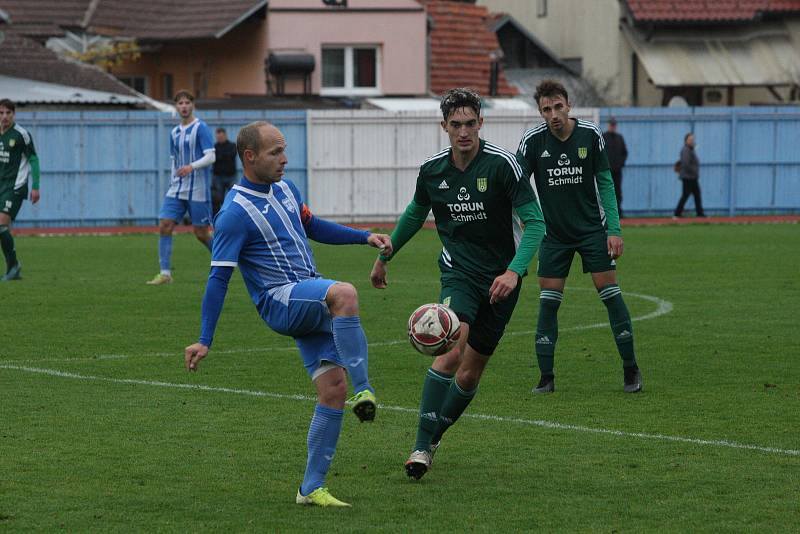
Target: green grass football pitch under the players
point(101, 428)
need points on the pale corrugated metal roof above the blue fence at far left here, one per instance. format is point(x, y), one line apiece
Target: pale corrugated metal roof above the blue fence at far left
point(24, 91)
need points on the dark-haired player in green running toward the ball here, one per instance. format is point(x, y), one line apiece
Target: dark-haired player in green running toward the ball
point(479, 195)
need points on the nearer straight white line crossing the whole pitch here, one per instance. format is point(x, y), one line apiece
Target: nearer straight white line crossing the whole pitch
point(495, 418)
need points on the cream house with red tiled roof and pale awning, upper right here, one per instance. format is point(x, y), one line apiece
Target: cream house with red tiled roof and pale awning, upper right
point(661, 52)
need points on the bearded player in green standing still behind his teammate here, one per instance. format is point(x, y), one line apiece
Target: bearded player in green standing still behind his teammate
point(571, 172)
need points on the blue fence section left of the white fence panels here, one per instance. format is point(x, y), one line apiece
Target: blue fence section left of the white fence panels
point(112, 168)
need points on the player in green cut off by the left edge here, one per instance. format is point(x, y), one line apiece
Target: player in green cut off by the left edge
point(19, 165)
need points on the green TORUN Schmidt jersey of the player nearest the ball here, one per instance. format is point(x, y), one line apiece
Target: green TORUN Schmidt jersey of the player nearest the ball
point(474, 209)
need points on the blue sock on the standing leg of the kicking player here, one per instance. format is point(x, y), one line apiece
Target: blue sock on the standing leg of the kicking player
point(322, 437)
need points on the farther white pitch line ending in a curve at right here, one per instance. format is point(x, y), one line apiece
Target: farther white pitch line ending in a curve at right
point(663, 307)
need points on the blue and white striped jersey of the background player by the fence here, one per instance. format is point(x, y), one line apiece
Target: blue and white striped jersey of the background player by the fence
point(187, 144)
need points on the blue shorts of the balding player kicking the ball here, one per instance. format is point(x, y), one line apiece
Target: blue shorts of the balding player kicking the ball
point(303, 314)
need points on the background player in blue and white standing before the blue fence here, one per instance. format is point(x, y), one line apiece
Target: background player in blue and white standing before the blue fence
point(191, 148)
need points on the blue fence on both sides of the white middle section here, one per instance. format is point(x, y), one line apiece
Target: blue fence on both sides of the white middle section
point(112, 168)
